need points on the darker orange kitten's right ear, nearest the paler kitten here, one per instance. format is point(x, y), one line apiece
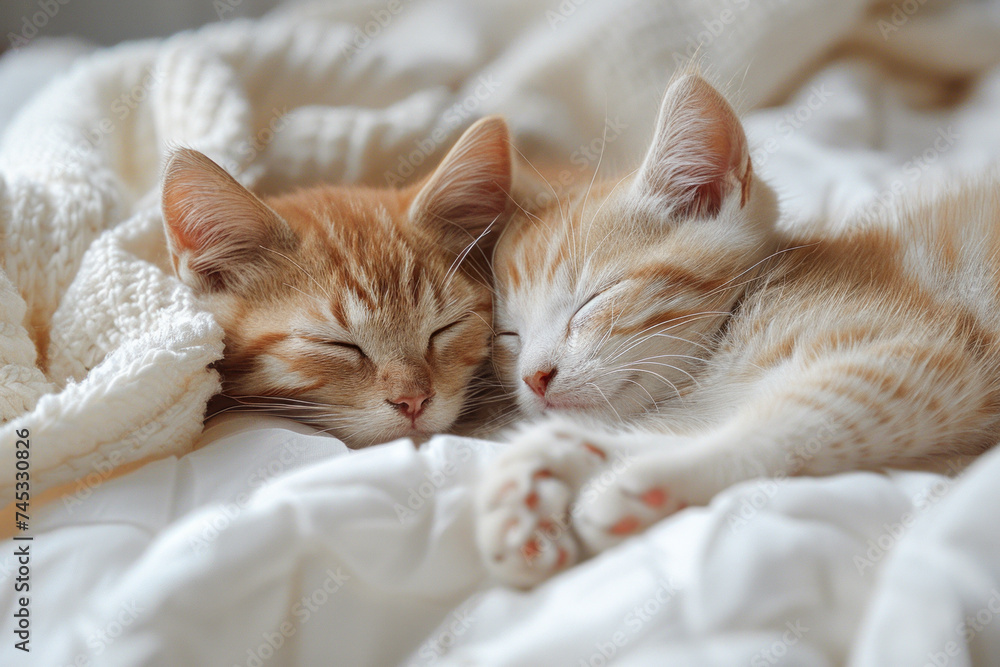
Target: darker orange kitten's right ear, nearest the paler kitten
point(469, 188)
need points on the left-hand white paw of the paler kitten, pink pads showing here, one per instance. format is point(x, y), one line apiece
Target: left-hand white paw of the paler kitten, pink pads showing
point(523, 503)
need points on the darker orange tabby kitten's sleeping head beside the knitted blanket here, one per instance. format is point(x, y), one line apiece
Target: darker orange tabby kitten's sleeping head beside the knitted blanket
point(358, 310)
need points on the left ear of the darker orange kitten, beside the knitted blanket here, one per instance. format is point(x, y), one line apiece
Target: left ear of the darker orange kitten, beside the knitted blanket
point(217, 230)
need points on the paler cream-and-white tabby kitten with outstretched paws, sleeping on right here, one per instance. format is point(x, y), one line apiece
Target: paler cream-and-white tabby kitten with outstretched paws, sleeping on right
point(668, 302)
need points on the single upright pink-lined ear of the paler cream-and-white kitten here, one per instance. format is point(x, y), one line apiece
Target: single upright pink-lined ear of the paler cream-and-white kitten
point(699, 154)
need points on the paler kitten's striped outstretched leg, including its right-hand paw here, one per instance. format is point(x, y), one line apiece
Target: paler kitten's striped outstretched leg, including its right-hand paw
point(887, 407)
